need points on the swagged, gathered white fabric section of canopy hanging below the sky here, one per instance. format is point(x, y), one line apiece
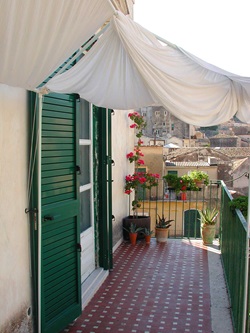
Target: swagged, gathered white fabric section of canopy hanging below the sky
point(129, 68)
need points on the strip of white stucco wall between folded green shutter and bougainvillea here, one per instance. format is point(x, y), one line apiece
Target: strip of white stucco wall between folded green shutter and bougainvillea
point(122, 144)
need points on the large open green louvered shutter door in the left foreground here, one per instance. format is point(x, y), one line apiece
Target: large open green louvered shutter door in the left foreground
point(60, 232)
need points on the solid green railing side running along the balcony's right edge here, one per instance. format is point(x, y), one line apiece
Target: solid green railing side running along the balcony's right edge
point(234, 251)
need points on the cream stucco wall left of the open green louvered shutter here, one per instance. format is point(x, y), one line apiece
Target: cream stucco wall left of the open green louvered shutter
point(14, 227)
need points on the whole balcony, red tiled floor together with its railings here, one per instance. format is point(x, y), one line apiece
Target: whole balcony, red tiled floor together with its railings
point(160, 288)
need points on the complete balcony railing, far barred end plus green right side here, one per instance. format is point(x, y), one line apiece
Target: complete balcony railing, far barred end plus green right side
point(232, 235)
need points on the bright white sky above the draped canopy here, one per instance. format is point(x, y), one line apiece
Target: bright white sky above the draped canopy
point(216, 31)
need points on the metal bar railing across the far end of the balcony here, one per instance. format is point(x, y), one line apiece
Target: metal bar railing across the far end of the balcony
point(183, 207)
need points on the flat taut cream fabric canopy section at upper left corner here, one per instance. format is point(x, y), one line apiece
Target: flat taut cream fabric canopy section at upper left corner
point(37, 36)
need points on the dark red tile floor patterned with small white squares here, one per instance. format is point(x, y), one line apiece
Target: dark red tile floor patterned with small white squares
point(152, 289)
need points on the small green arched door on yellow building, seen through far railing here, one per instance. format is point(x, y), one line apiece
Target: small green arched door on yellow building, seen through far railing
point(192, 224)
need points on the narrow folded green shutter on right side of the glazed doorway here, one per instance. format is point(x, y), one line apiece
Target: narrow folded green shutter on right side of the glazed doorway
point(103, 185)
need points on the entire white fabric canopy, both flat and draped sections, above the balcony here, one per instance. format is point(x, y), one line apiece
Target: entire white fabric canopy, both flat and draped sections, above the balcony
point(126, 68)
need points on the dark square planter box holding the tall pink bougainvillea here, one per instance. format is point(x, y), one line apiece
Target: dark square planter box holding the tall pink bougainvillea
point(139, 221)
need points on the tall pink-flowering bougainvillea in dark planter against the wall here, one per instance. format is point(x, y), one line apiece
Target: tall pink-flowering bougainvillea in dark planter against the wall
point(140, 181)
